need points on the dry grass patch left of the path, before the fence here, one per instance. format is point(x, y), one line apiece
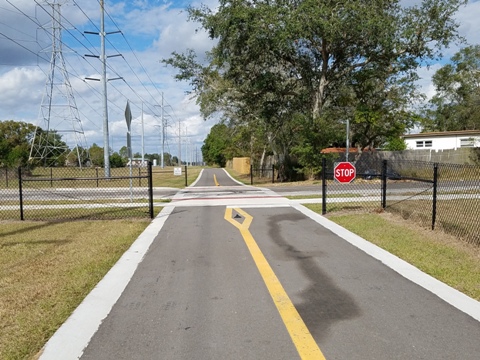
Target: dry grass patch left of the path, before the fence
point(47, 269)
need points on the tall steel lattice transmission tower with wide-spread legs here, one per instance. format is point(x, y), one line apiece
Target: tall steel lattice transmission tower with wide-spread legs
point(59, 126)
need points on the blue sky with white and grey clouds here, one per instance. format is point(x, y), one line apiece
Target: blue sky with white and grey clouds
point(151, 30)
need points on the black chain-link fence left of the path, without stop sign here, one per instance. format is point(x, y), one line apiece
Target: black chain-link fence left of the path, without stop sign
point(75, 193)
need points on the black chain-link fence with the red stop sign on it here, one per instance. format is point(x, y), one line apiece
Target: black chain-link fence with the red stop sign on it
point(440, 196)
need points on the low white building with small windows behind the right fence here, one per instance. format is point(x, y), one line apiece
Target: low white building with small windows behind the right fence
point(443, 140)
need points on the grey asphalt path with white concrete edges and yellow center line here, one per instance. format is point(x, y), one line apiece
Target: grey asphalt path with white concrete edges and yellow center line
point(237, 272)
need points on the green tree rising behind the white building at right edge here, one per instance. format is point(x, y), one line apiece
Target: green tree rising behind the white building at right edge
point(456, 104)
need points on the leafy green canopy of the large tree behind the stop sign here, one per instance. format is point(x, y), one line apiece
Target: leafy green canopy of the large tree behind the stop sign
point(283, 66)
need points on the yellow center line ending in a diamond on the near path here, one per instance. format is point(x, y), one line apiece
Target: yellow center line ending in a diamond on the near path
point(306, 346)
